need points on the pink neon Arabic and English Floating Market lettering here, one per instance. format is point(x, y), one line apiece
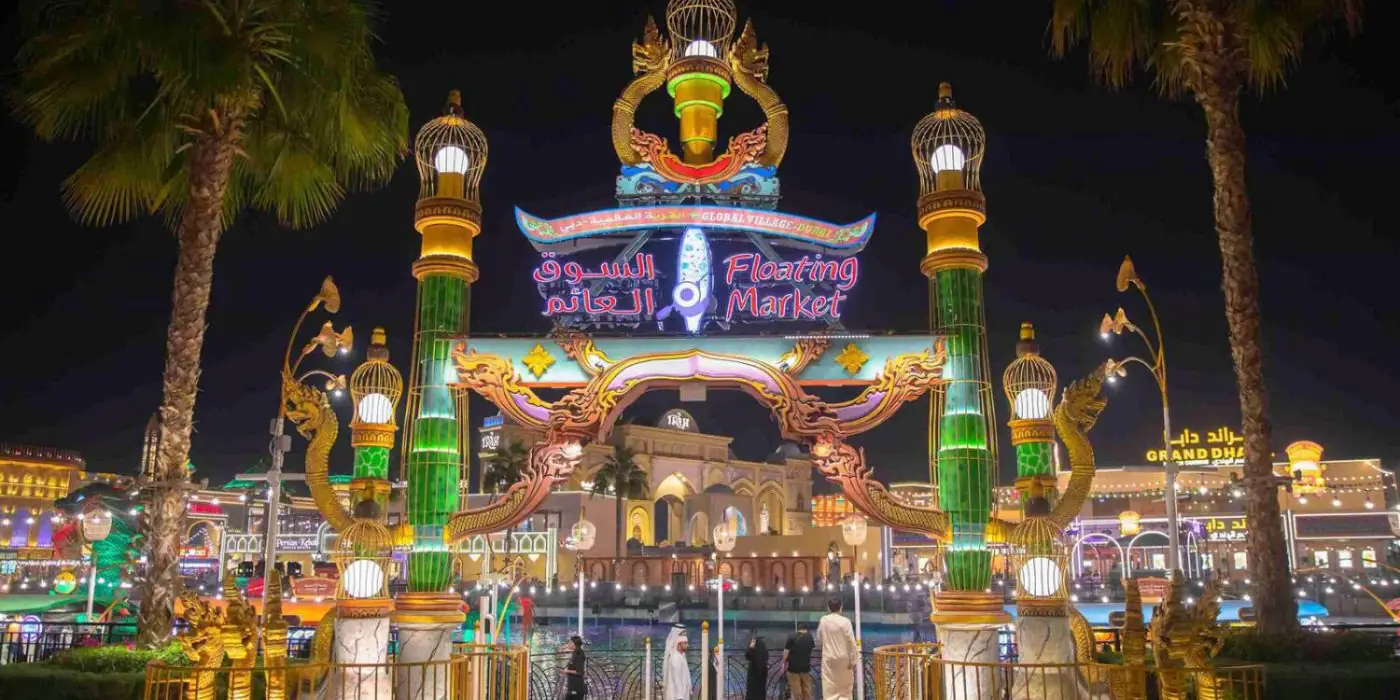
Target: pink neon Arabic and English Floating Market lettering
point(747, 275)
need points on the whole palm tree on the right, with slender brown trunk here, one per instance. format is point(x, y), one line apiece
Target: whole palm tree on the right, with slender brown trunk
point(1212, 50)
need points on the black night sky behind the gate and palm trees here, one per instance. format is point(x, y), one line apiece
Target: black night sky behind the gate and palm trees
point(1076, 177)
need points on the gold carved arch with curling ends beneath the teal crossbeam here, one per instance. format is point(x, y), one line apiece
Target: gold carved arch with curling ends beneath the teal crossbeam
point(589, 414)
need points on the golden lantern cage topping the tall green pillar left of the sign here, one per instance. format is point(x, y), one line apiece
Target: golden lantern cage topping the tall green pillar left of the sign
point(451, 156)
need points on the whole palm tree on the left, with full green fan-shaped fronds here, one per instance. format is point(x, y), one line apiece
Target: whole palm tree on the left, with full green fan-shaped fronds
point(197, 111)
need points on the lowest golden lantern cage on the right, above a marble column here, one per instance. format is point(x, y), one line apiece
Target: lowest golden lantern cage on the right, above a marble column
point(1039, 559)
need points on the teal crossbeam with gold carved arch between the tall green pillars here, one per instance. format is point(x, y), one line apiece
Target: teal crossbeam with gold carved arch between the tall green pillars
point(890, 370)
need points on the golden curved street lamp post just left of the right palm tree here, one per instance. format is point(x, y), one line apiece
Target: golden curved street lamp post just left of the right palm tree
point(1157, 353)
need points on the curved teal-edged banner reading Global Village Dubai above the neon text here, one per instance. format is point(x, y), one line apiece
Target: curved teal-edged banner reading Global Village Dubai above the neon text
point(839, 240)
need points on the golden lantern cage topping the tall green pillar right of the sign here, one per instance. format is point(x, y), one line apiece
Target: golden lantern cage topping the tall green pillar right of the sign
point(948, 146)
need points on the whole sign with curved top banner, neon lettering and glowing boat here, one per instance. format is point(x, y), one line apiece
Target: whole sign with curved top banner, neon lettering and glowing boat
point(675, 278)
